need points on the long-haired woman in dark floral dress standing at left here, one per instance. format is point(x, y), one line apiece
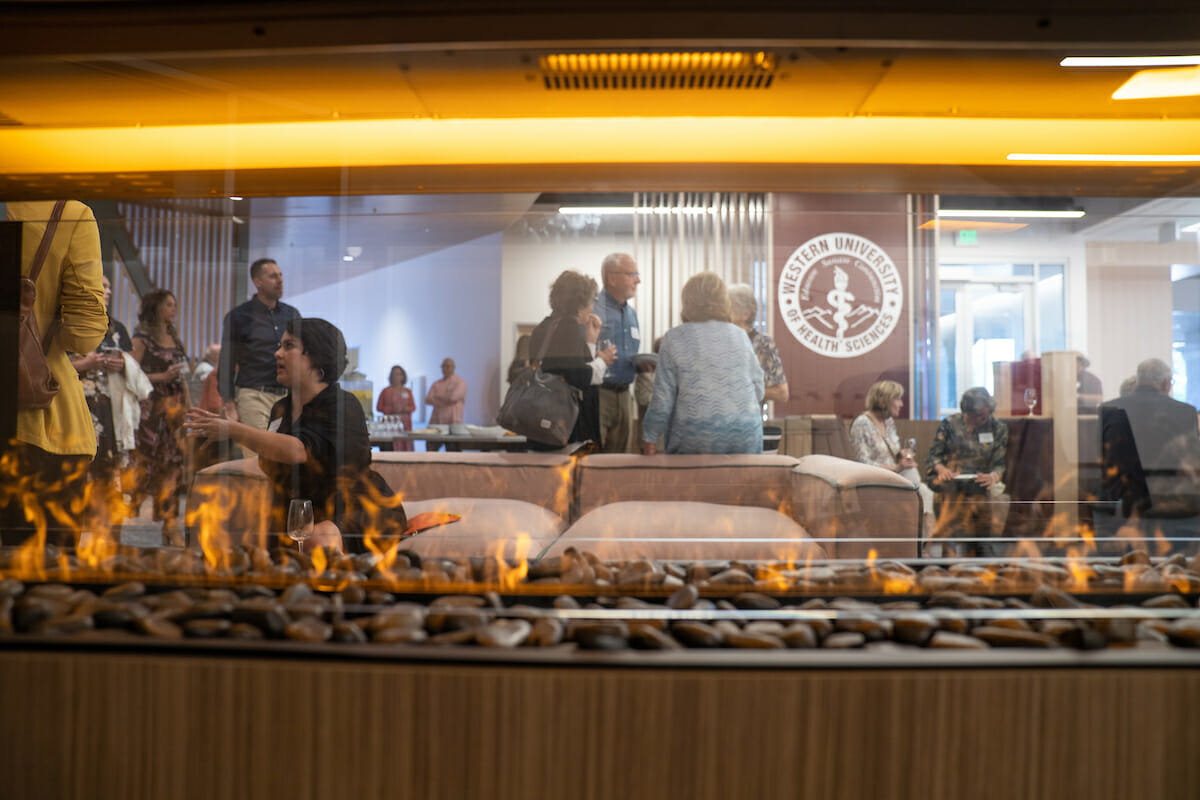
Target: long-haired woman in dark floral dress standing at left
point(160, 452)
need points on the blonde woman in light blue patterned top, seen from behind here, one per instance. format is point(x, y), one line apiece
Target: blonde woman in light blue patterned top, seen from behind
point(709, 386)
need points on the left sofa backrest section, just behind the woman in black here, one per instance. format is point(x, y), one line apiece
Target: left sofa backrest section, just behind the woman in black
point(541, 479)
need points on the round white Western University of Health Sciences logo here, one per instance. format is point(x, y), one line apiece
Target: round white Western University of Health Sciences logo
point(841, 296)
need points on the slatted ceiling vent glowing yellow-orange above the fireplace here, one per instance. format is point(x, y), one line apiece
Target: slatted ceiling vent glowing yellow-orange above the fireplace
point(639, 71)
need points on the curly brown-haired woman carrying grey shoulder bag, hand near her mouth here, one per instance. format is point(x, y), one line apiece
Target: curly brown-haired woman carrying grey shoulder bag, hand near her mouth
point(567, 341)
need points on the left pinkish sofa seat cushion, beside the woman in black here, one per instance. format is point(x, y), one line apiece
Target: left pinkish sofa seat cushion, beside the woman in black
point(515, 528)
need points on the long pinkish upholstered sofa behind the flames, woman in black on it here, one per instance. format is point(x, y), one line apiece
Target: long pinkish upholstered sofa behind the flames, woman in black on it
point(687, 508)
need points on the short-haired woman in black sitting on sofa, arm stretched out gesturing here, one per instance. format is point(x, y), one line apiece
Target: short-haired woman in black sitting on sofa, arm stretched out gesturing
point(317, 446)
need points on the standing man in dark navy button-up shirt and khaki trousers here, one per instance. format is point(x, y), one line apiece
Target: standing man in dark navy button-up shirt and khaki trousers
point(250, 338)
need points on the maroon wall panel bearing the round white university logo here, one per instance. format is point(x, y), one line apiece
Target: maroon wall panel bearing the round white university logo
point(854, 324)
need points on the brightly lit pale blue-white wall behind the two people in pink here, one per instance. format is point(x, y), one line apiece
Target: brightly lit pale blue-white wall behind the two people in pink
point(421, 311)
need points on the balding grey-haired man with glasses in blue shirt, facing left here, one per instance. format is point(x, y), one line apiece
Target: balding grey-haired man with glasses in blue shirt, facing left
point(619, 410)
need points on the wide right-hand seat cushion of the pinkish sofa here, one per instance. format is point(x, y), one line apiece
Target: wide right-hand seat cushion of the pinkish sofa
point(688, 531)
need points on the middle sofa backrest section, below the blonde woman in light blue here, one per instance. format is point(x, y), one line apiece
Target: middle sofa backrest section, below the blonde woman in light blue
point(747, 480)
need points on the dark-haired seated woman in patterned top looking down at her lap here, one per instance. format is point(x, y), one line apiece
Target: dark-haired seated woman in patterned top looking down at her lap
point(967, 467)
